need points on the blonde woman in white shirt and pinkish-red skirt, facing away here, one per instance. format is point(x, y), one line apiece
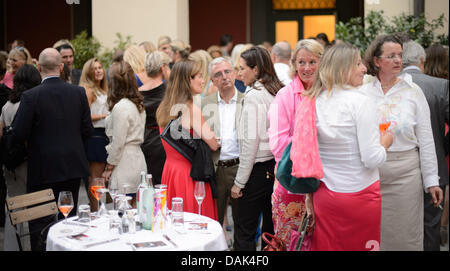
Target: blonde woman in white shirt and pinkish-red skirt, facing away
point(347, 205)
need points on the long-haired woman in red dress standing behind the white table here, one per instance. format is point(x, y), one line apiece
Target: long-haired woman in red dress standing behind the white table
point(185, 81)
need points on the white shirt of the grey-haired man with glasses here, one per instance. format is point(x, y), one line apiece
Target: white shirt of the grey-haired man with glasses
point(227, 115)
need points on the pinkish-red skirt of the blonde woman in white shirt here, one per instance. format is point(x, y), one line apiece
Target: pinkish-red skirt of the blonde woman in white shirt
point(347, 221)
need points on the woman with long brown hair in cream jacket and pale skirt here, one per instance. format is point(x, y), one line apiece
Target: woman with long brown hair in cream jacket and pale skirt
point(125, 130)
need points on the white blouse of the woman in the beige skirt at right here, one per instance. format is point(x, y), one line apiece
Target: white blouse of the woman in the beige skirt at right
point(406, 107)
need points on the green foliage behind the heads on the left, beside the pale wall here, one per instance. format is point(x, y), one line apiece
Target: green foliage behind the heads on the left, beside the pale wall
point(89, 47)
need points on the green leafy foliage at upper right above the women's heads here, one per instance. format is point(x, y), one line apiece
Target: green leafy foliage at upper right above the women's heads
point(418, 28)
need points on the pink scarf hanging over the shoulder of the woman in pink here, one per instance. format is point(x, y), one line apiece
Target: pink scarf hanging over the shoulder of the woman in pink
point(305, 156)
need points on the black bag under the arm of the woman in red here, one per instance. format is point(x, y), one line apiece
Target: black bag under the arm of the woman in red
point(180, 139)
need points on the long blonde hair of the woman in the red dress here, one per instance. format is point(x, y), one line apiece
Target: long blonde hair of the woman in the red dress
point(178, 91)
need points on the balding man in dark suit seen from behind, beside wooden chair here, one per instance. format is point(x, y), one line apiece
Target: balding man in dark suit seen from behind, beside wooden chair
point(54, 118)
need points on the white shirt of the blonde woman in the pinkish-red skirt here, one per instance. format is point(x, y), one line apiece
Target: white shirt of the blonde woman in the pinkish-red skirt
point(349, 140)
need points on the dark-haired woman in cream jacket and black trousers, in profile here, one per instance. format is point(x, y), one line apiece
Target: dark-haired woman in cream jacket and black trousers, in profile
point(253, 185)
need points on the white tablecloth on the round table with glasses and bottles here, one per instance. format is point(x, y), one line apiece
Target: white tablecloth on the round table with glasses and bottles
point(212, 239)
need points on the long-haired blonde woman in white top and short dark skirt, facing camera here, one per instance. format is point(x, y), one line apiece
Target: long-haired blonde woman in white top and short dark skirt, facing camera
point(93, 79)
